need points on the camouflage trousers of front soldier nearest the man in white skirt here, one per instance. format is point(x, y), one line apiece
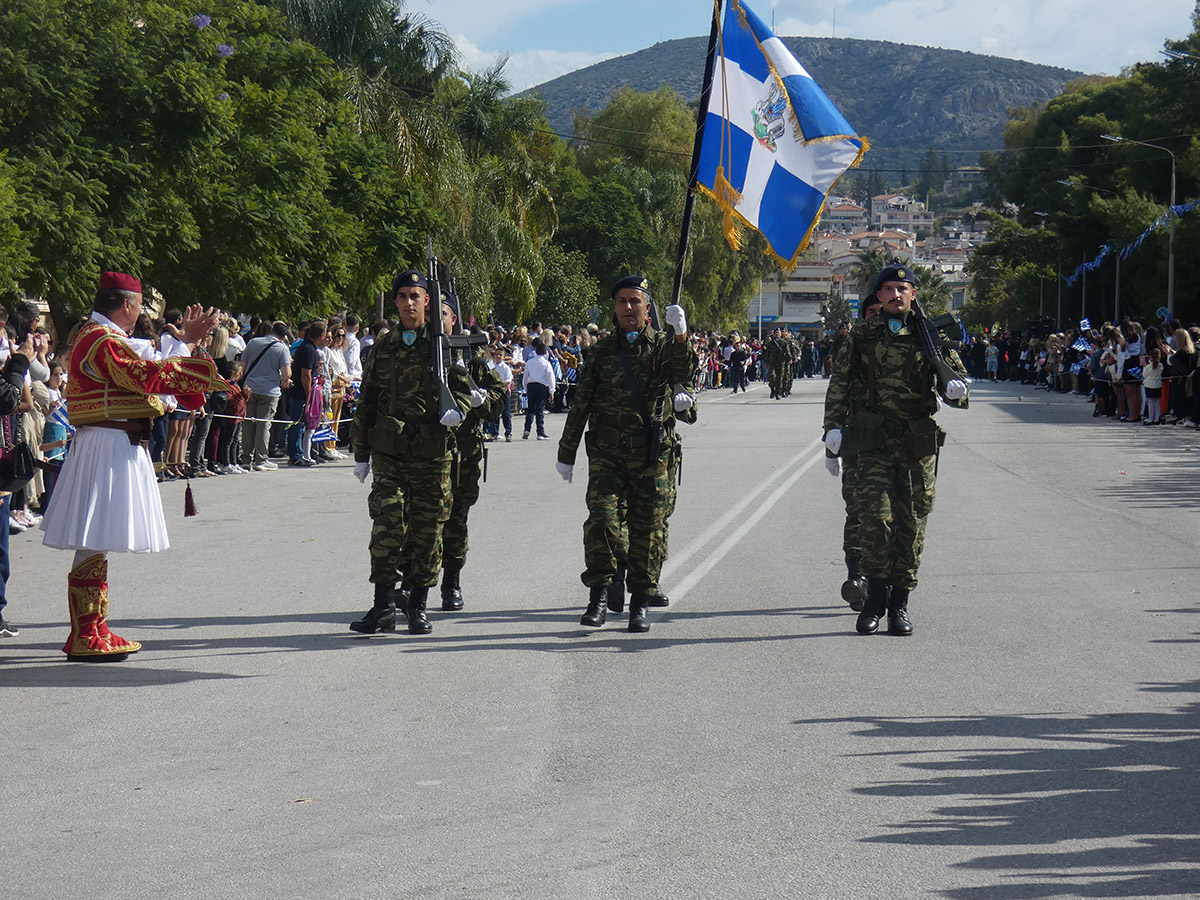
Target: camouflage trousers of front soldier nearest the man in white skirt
point(410, 505)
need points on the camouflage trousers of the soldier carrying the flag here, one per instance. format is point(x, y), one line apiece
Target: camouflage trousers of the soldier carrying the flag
point(626, 494)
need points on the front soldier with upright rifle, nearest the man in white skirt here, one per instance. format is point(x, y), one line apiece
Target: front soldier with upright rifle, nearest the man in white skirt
point(400, 433)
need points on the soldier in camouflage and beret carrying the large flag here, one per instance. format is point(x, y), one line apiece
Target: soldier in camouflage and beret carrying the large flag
point(619, 398)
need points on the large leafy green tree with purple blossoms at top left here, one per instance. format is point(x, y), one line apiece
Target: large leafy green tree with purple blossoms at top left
point(220, 163)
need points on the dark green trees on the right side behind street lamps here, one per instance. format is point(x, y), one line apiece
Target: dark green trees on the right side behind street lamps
point(1114, 191)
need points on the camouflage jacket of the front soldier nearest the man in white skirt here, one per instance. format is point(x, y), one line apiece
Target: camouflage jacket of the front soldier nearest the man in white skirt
point(398, 385)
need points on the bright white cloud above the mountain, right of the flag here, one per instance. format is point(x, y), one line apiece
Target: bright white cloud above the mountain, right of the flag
point(1085, 35)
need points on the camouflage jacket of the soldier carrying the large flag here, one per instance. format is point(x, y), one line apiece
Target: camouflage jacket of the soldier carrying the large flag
point(603, 397)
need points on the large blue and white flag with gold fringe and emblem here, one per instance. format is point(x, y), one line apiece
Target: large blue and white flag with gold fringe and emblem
point(775, 145)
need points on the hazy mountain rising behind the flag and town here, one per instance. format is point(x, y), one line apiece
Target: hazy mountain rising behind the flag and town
point(903, 99)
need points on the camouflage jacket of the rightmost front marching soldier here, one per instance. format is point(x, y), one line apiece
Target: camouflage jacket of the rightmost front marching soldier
point(886, 374)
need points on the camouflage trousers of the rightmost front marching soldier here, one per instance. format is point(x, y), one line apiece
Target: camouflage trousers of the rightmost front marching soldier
point(895, 499)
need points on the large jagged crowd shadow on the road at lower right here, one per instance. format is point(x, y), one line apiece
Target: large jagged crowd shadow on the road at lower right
point(1126, 782)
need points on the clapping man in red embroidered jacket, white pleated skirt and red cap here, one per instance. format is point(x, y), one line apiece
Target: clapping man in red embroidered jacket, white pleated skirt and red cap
point(106, 500)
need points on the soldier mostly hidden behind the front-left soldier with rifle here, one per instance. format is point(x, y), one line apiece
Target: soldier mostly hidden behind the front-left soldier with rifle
point(487, 398)
